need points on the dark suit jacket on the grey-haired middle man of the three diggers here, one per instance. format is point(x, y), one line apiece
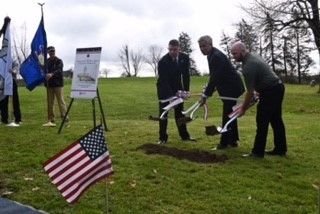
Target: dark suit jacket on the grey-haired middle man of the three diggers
point(223, 76)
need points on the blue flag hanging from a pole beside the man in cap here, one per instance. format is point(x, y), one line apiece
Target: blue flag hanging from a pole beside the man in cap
point(33, 69)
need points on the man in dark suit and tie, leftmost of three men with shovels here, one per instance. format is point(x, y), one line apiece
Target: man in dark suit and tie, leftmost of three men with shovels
point(173, 75)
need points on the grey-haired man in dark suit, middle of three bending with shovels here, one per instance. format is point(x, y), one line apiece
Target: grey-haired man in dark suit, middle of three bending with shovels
point(224, 79)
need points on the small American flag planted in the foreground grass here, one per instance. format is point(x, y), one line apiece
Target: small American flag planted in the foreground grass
point(80, 165)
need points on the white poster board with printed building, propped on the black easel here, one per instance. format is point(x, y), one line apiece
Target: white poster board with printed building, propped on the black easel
point(86, 72)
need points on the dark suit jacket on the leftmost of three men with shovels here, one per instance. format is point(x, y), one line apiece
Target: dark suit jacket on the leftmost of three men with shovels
point(173, 76)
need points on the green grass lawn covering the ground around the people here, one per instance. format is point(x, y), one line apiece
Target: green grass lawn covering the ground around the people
point(154, 183)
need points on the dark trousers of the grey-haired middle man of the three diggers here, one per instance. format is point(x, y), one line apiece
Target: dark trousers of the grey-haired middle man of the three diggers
point(231, 136)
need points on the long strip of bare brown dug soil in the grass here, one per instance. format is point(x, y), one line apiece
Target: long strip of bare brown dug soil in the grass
point(193, 155)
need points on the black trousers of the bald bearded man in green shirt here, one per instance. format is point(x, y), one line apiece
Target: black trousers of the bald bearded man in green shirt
point(269, 110)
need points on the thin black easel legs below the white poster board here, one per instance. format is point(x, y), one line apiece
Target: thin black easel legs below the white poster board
point(93, 112)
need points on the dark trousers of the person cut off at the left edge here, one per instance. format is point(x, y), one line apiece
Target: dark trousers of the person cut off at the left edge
point(15, 104)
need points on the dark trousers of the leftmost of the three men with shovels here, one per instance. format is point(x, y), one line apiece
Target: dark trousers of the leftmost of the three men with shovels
point(163, 136)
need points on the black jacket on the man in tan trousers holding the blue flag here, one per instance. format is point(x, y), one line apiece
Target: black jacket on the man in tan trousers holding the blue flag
point(55, 67)
